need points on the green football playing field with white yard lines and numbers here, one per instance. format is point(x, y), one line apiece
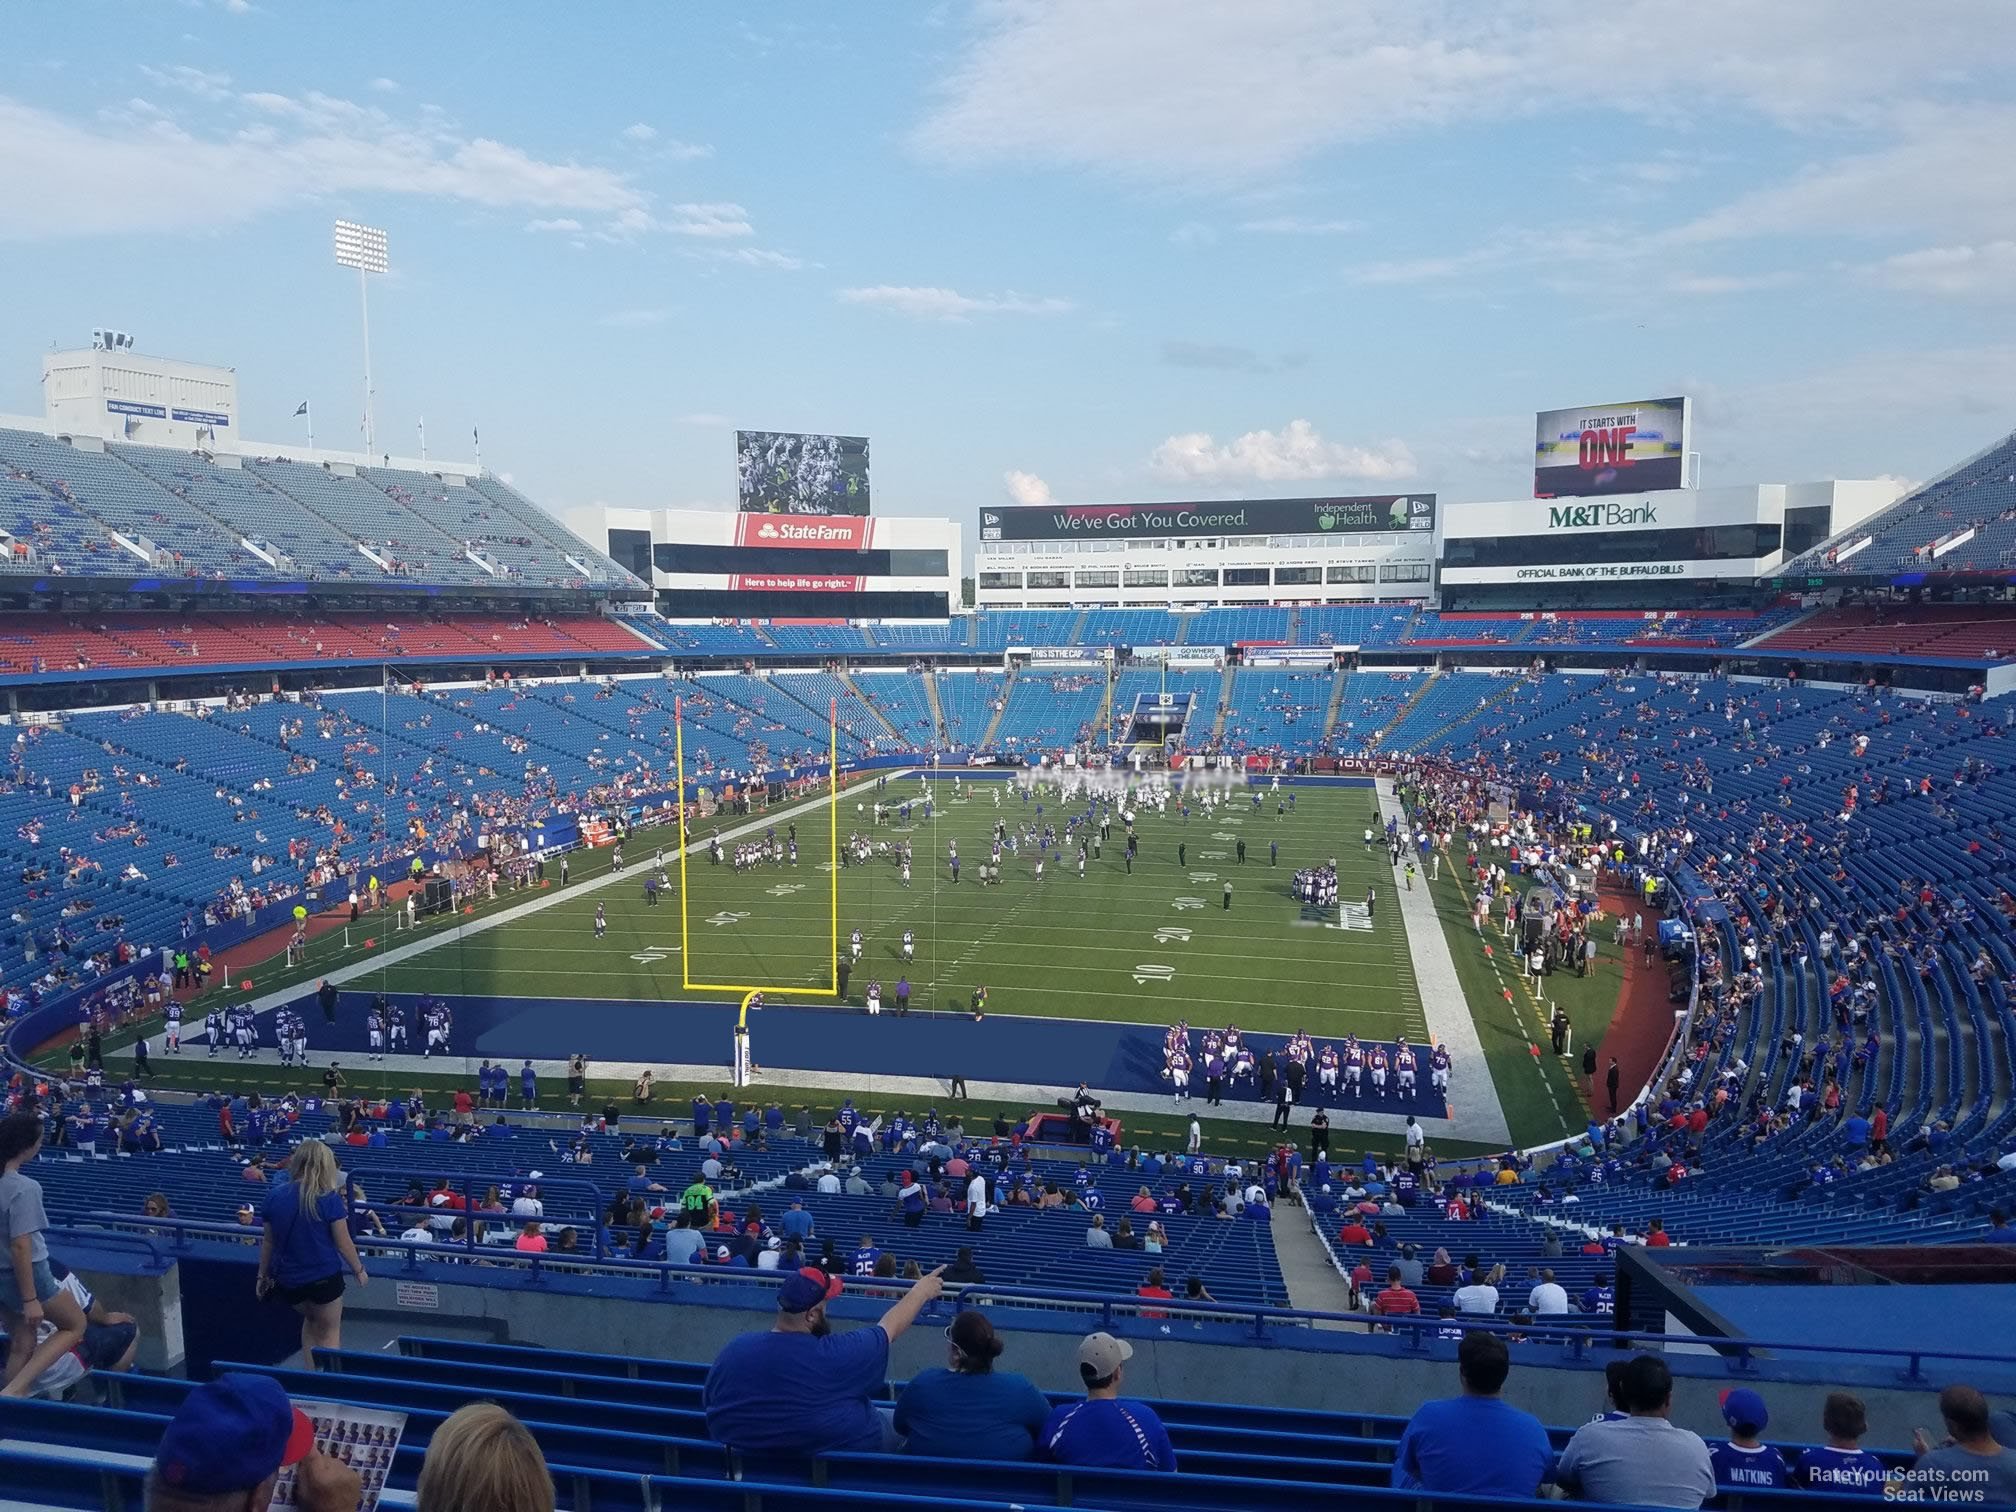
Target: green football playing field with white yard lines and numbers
point(1152, 942)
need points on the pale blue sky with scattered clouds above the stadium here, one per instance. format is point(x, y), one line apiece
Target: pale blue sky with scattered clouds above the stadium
point(1037, 249)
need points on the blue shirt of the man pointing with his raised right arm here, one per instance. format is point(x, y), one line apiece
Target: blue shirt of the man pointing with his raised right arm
point(795, 1394)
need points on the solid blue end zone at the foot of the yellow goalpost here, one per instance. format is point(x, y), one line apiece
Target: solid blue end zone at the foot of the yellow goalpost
point(844, 1041)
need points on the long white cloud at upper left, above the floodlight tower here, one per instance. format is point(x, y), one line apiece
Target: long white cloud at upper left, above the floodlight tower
point(172, 176)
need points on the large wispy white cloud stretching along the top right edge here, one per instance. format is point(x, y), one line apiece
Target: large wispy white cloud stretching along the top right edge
point(1201, 92)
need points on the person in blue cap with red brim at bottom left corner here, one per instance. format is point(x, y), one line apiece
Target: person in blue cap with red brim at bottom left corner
point(229, 1444)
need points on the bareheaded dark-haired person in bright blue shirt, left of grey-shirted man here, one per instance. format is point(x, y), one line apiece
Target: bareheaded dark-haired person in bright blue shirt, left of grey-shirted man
point(1475, 1444)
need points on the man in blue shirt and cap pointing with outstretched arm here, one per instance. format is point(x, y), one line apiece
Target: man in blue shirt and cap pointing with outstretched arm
point(801, 1388)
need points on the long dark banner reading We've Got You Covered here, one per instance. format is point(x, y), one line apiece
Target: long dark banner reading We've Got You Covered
point(1261, 517)
